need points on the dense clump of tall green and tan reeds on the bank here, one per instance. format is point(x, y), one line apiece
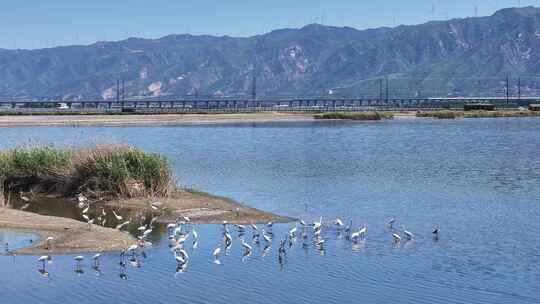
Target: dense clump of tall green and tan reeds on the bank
point(101, 171)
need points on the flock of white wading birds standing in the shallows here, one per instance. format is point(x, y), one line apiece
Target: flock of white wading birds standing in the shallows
point(182, 232)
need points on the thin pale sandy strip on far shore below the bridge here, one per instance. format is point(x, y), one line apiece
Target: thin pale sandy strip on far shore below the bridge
point(153, 119)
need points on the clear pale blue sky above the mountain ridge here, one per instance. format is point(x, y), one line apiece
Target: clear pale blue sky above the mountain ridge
point(45, 23)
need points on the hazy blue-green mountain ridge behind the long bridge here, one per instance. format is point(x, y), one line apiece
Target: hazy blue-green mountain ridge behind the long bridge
point(439, 57)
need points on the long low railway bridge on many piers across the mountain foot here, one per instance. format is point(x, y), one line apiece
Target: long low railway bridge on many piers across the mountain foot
point(231, 104)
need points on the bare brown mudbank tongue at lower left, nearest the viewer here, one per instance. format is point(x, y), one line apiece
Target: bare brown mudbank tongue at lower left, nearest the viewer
point(70, 236)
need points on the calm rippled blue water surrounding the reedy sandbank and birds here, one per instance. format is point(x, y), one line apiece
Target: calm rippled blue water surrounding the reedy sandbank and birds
point(479, 180)
